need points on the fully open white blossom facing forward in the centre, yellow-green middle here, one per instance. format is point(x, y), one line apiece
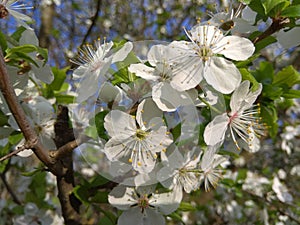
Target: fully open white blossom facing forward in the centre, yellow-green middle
point(136, 140)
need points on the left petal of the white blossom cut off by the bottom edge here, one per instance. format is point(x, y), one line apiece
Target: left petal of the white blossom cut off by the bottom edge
point(122, 197)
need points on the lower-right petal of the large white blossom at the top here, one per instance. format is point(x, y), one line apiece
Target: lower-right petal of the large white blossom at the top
point(222, 75)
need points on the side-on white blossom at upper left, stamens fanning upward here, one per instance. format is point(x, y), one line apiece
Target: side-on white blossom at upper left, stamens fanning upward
point(94, 62)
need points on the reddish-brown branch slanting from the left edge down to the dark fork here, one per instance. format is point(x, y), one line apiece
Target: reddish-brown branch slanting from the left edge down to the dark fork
point(16, 109)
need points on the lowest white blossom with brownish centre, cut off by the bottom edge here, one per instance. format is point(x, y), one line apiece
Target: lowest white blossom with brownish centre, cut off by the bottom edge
point(141, 206)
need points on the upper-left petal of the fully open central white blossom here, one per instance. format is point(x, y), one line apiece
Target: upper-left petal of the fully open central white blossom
point(118, 123)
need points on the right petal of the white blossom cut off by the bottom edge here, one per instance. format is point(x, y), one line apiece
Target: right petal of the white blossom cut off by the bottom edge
point(166, 203)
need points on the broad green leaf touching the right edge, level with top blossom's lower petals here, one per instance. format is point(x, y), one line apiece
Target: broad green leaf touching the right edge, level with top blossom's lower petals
point(287, 77)
